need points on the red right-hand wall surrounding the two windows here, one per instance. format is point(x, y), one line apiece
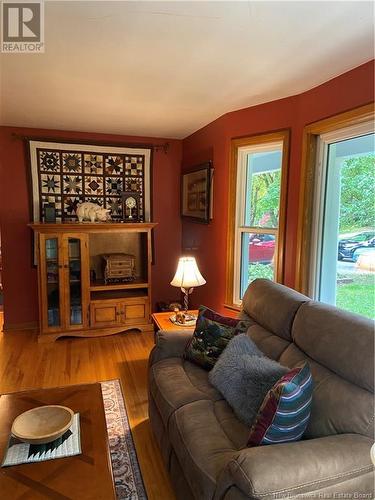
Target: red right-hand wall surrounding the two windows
point(352, 89)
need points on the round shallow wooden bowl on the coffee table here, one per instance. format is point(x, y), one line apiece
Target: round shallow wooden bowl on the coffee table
point(42, 424)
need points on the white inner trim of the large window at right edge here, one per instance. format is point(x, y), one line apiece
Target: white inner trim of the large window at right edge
point(320, 181)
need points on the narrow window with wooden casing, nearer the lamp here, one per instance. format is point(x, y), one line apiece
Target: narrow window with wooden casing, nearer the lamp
point(257, 212)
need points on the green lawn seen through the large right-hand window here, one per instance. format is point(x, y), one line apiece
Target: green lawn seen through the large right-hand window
point(358, 296)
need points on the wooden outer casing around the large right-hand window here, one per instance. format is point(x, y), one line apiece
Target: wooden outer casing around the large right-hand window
point(309, 165)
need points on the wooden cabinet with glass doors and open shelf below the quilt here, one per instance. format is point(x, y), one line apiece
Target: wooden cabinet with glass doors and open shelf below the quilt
point(71, 304)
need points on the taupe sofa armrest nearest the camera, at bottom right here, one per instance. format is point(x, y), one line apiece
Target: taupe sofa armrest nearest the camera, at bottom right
point(331, 465)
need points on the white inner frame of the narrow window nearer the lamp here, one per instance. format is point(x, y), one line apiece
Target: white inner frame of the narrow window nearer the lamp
point(240, 228)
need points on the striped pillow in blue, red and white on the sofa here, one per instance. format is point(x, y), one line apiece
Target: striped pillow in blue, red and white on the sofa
point(285, 410)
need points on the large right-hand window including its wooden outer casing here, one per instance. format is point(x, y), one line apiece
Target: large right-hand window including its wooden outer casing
point(336, 230)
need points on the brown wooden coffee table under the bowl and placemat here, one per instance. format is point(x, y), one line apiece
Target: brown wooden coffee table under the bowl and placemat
point(85, 476)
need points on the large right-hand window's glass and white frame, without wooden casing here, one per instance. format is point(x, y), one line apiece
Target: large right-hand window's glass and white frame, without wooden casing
point(343, 250)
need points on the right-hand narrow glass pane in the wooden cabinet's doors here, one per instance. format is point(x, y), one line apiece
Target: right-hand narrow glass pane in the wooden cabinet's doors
point(75, 281)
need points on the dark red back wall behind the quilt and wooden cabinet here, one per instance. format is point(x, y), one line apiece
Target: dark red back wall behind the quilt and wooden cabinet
point(19, 276)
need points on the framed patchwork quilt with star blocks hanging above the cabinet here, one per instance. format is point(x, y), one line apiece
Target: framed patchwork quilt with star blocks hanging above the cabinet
point(64, 175)
